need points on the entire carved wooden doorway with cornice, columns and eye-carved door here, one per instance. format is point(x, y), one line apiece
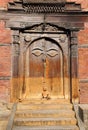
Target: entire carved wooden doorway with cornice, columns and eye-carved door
point(44, 48)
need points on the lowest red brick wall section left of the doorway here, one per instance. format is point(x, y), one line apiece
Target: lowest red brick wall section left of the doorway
point(5, 90)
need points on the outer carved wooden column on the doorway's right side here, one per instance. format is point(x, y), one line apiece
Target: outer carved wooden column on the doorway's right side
point(74, 67)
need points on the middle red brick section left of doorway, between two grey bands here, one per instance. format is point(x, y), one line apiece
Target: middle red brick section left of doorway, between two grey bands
point(5, 61)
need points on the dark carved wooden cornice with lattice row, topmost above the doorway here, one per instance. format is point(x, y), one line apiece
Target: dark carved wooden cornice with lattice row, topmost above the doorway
point(43, 6)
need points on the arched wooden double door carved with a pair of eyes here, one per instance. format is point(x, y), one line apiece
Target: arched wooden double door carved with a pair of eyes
point(45, 69)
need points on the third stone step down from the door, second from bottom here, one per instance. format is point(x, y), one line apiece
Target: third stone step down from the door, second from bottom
point(44, 121)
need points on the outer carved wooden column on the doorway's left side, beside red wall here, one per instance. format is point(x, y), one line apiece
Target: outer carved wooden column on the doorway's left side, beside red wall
point(15, 66)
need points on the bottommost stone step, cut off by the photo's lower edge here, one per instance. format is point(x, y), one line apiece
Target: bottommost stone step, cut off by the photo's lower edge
point(46, 128)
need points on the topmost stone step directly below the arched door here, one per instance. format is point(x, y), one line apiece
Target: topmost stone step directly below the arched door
point(43, 106)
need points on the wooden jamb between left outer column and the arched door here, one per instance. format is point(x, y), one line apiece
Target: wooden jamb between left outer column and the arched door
point(22, 69)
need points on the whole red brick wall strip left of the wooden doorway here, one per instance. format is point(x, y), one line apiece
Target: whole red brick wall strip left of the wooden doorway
point(5, 62)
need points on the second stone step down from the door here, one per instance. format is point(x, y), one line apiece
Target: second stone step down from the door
point(45, 113)
